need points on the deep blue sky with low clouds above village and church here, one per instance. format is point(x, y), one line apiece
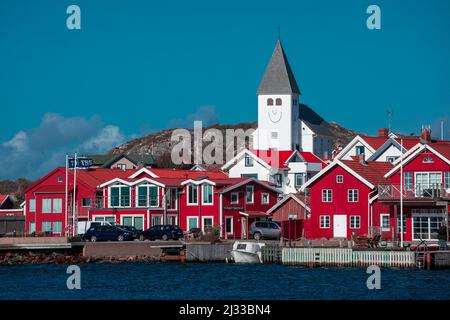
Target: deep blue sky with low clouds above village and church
point(139, 66)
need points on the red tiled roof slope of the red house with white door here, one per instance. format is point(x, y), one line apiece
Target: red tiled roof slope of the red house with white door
point(371, 171)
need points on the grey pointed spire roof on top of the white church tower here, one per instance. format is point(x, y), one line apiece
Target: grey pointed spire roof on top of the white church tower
point(278, 78)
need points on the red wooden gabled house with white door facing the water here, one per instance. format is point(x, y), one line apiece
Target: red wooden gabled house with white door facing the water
point(343, 199)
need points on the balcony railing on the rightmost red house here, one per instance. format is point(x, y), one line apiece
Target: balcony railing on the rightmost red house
point(416, 192)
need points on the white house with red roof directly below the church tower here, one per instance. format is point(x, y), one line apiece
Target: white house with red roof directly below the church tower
point(288, 170)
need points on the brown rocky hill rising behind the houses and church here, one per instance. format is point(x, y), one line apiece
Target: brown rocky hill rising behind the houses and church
point(159, 144)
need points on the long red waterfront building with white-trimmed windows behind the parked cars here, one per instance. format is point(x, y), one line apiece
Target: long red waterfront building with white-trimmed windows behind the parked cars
point(147, 197)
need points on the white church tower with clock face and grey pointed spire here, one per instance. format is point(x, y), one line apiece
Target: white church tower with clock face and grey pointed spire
point(278, 105)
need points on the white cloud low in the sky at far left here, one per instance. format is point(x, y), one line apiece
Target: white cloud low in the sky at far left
point(32, 152)
